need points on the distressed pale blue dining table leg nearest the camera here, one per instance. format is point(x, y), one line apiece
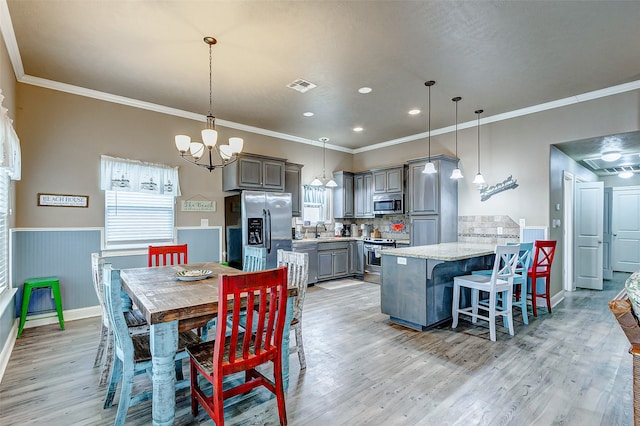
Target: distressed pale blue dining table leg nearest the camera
point(164, 343)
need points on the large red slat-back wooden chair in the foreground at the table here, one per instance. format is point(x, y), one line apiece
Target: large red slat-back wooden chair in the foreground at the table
point(234, 349)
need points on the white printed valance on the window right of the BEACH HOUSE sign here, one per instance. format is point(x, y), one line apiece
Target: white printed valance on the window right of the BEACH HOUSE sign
point(119, 174)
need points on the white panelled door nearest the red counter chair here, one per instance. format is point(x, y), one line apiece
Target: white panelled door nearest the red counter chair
point(588, 223)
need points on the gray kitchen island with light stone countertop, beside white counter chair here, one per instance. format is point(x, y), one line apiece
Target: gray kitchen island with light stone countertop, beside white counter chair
point(417, 282)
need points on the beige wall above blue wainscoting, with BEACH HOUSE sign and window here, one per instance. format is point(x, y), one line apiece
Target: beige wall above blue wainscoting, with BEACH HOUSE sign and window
point(63, 136)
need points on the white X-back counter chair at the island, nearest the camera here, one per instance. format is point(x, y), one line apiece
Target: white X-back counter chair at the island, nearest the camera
point(500, 281)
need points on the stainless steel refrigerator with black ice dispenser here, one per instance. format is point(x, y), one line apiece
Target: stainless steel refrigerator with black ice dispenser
point(257, 218)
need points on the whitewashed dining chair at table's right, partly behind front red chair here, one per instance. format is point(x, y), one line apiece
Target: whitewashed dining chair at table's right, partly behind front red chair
point(298, 274)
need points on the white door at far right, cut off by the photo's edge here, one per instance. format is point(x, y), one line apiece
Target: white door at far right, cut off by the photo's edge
point(626, 229)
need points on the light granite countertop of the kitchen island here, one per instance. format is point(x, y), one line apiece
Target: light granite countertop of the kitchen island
point(444, 251)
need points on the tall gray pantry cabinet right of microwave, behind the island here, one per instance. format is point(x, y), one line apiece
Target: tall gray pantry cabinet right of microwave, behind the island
point(433, 201)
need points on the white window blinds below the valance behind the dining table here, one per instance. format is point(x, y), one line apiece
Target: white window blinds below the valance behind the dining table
point(134, 219)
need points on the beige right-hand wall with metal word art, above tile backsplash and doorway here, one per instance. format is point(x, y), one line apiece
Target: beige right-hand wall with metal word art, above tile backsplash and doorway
point(517, 147)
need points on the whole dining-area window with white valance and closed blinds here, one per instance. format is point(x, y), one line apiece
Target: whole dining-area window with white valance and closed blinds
point(139, 202)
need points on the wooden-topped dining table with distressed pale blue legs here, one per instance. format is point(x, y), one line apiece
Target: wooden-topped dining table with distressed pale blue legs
point(171, 305)
